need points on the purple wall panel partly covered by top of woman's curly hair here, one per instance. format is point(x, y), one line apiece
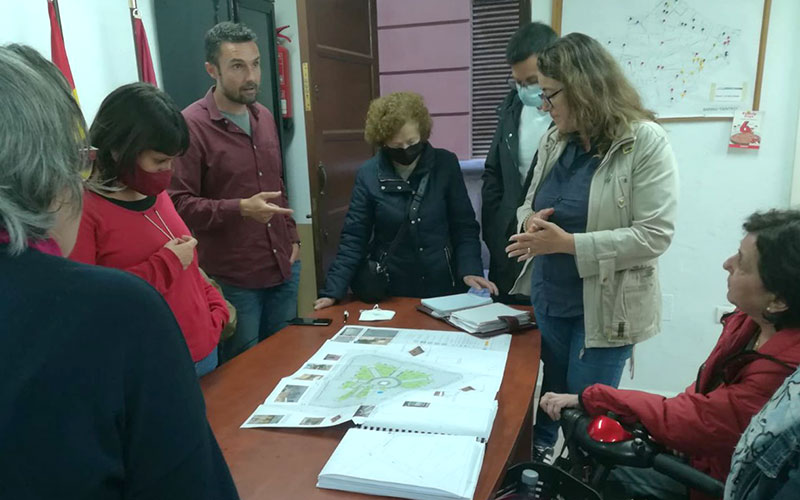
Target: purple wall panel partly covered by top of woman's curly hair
point(444, 92)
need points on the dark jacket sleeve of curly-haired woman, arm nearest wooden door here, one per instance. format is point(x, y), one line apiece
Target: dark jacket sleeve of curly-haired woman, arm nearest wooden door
point(355, 238)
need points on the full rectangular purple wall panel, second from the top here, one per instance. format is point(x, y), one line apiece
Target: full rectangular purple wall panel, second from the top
point(424, 47)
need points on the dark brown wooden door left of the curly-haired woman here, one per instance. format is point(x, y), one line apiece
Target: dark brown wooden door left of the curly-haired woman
point(339, 52)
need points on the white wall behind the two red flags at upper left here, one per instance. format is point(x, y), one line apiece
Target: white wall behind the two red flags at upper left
point(98, 37)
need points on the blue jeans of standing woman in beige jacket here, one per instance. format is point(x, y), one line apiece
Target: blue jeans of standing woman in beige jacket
point(570, 368)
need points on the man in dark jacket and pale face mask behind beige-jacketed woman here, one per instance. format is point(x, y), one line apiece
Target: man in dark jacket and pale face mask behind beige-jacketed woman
point(506, 177)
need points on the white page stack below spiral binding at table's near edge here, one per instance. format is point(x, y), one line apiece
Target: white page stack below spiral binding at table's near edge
point(405, 465)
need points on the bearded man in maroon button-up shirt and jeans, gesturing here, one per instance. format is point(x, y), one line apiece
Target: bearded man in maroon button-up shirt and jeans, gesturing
point(229, 189)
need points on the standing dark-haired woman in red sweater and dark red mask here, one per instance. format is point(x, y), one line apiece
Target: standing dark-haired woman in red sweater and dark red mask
point(129, 221)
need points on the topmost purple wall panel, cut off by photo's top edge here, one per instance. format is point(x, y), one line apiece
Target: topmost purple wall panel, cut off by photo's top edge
point(397, 12)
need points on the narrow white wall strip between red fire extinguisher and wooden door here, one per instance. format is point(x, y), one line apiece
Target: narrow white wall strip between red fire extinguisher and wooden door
point(296, 156)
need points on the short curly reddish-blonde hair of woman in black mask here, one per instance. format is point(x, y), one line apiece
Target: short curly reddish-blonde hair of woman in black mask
point(387, 115)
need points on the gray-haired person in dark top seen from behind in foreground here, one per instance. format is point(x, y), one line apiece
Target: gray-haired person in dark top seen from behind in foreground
point(100, 398)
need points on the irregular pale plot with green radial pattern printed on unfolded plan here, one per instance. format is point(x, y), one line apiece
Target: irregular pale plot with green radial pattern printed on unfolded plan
point(369, 379)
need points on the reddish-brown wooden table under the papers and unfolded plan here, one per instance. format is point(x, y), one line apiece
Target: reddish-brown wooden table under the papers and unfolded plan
point(284, 463)
